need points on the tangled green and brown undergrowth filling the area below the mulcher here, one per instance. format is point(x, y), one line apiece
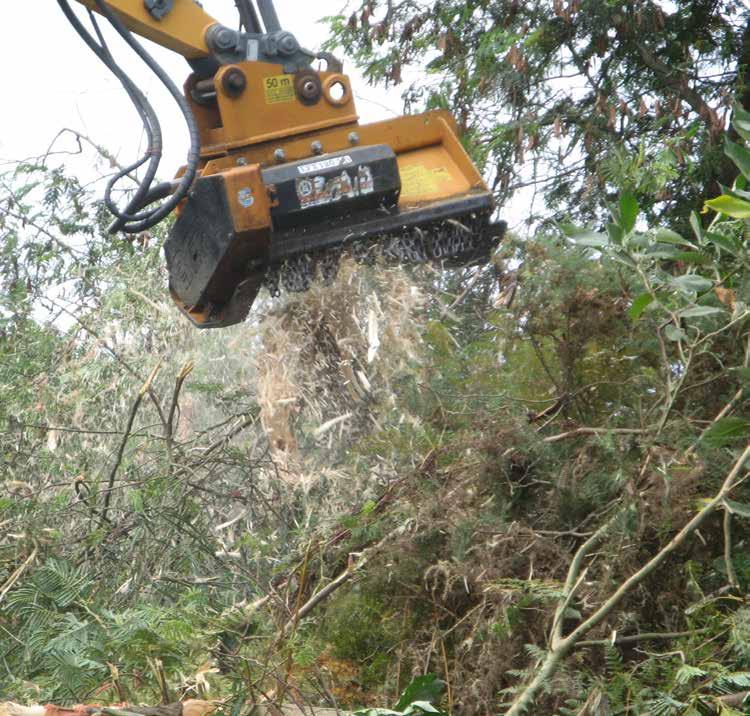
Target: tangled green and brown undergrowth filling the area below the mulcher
point(488, 434)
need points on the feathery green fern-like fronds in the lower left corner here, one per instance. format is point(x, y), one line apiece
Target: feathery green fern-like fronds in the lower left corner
point(70, 640)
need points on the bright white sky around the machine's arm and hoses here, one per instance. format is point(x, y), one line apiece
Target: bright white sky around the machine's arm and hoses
point(57, 81)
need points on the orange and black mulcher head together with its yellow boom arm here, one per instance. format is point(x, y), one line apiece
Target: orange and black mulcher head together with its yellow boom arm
point(287, 178)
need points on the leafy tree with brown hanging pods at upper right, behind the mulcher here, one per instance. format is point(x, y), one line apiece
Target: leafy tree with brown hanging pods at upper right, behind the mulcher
point(596, 96)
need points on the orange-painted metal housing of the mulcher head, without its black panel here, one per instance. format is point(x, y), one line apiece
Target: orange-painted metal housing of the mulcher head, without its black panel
point(269, 123)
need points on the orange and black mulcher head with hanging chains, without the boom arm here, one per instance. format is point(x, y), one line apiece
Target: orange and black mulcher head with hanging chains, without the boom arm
point(278, 209)
